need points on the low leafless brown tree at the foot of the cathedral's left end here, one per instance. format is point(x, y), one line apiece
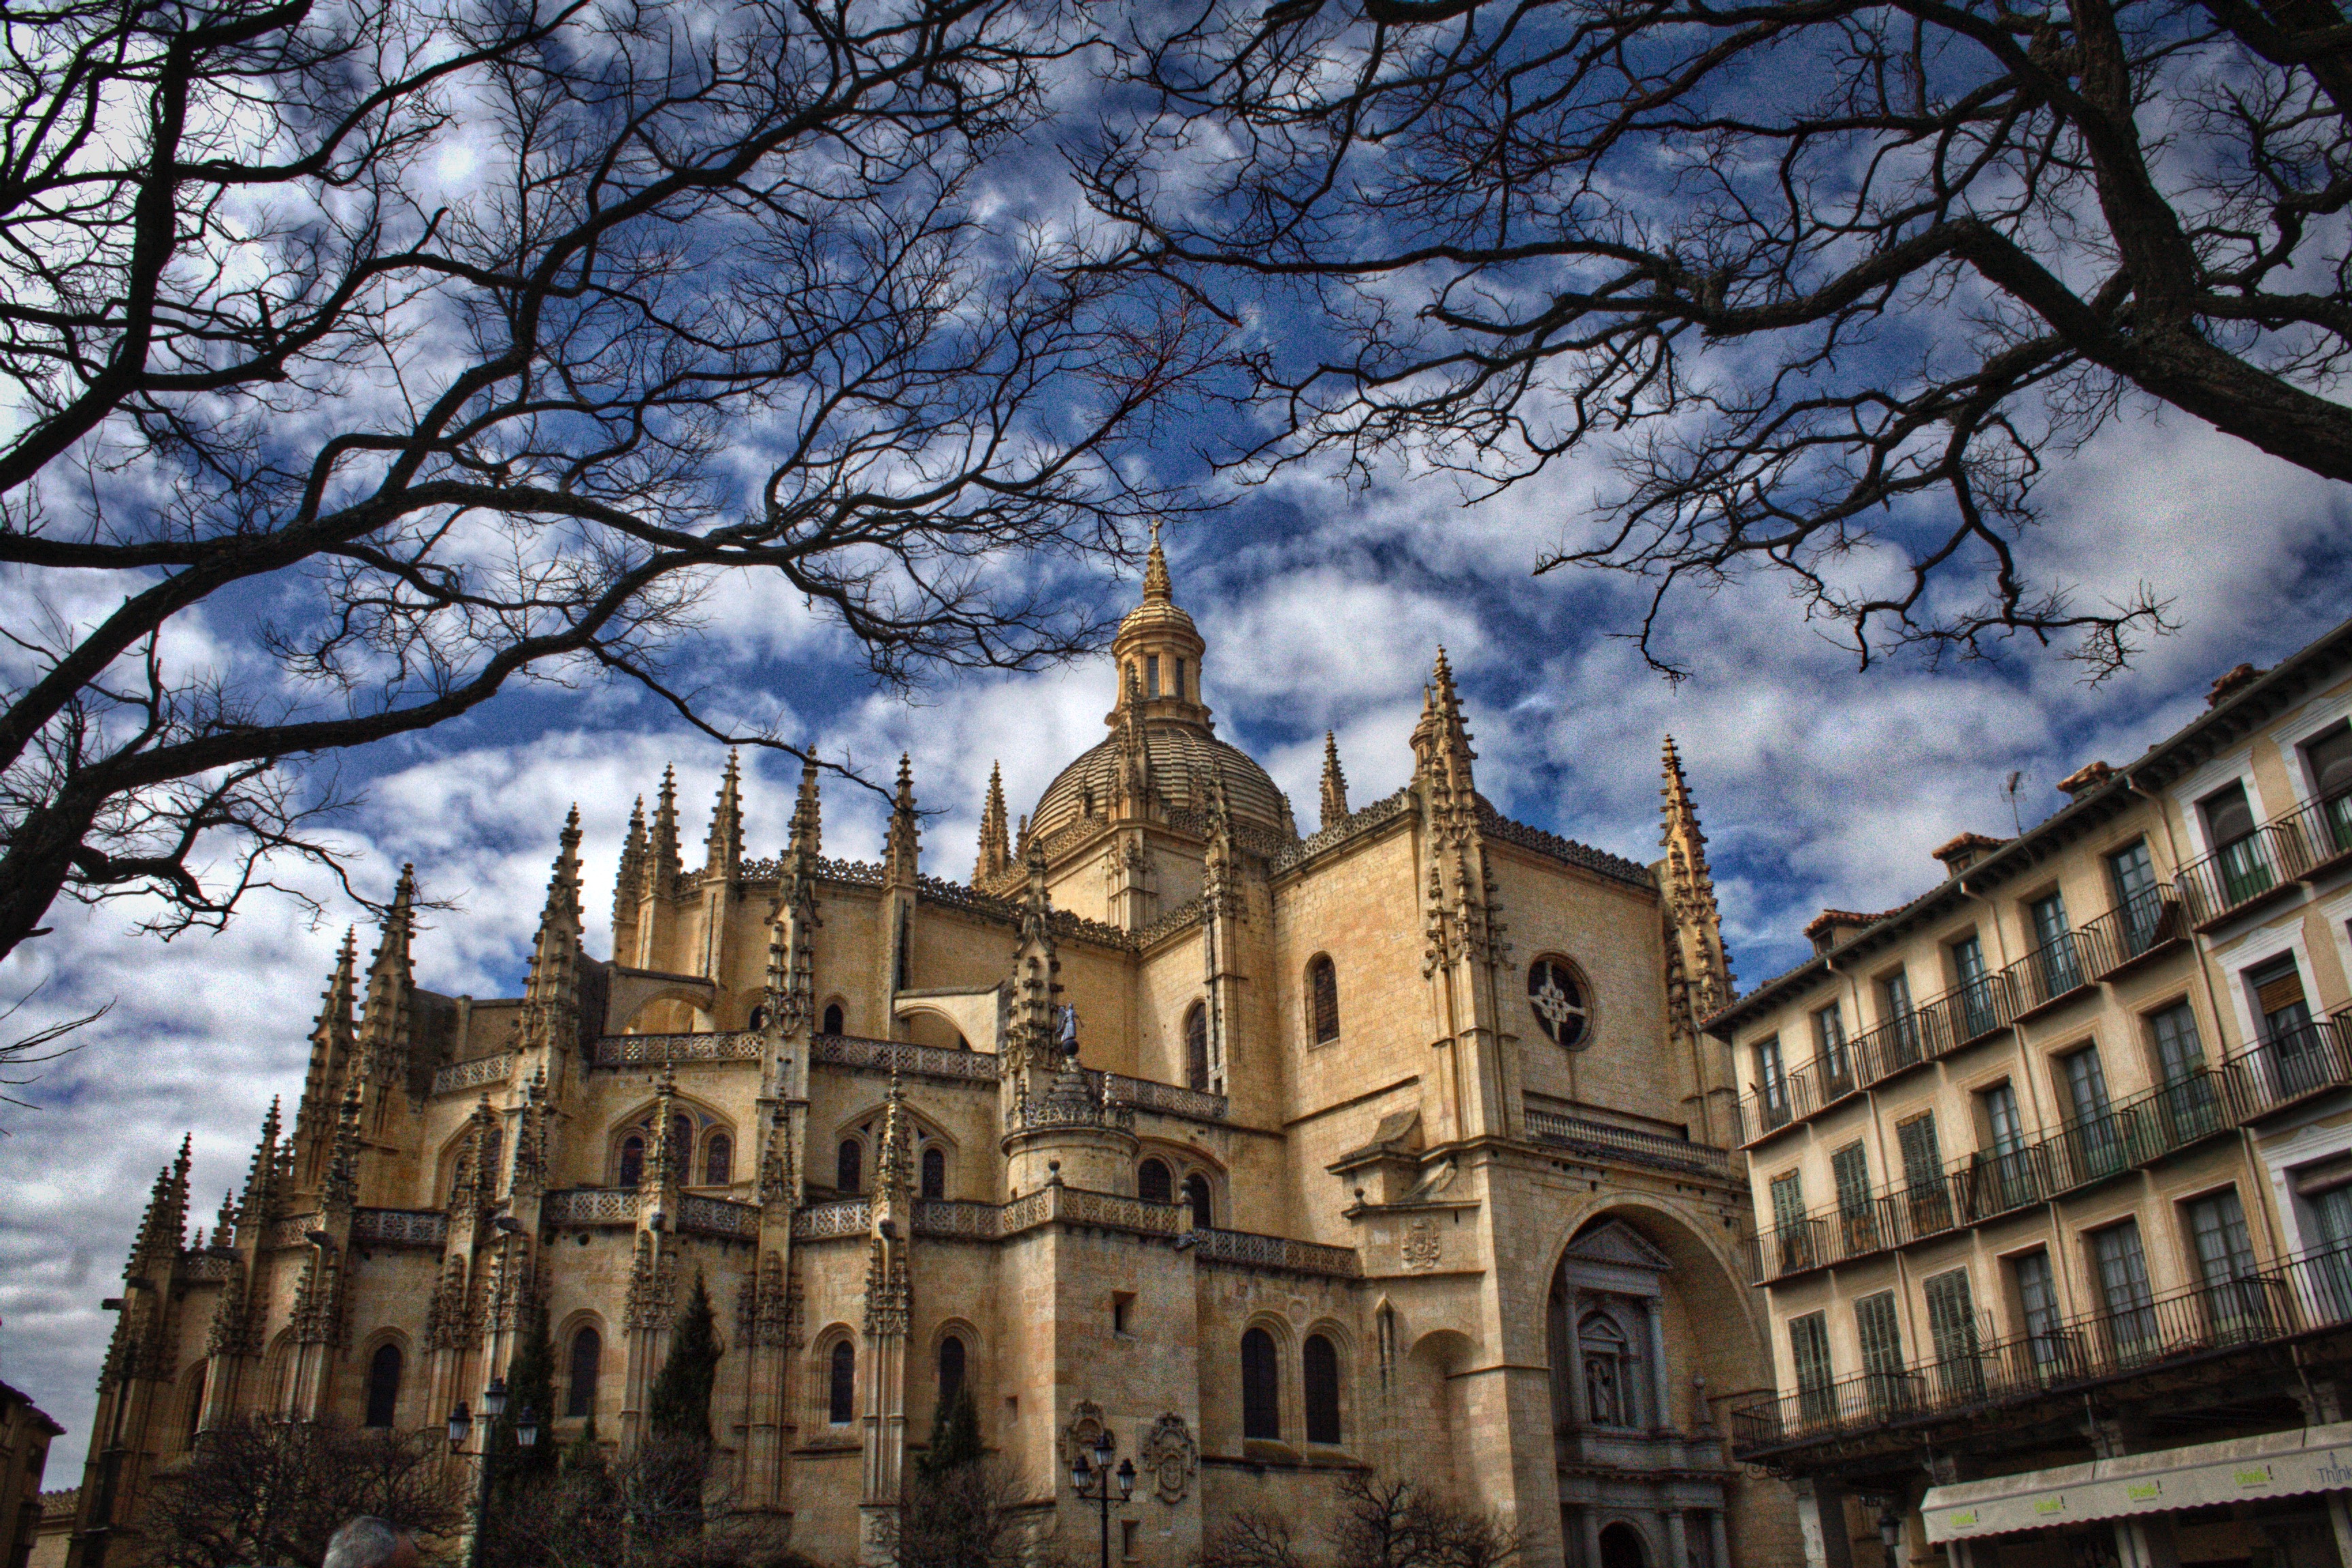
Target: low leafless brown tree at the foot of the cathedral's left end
point(267, 1492)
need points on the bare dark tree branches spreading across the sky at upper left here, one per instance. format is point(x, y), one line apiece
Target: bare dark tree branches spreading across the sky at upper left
point(373, 359)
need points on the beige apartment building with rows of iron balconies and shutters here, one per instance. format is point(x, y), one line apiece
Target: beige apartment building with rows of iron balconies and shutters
point(2054, 1172)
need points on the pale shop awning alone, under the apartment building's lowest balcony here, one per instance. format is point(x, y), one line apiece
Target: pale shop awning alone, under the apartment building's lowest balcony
point(2250, 1468)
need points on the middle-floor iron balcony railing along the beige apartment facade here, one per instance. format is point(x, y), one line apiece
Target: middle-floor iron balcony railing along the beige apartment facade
point(1986, 1186)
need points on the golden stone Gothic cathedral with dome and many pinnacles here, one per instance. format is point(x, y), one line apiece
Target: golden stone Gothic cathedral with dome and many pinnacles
point(1274, 1158)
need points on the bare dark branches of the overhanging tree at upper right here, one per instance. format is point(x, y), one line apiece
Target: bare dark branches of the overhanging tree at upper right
point(1829, 281)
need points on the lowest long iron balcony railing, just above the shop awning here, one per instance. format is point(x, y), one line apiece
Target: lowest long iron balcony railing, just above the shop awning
point(2308, 1294)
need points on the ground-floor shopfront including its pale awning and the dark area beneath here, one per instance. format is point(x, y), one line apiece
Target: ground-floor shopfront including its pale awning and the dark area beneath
point(2266, 1501)
